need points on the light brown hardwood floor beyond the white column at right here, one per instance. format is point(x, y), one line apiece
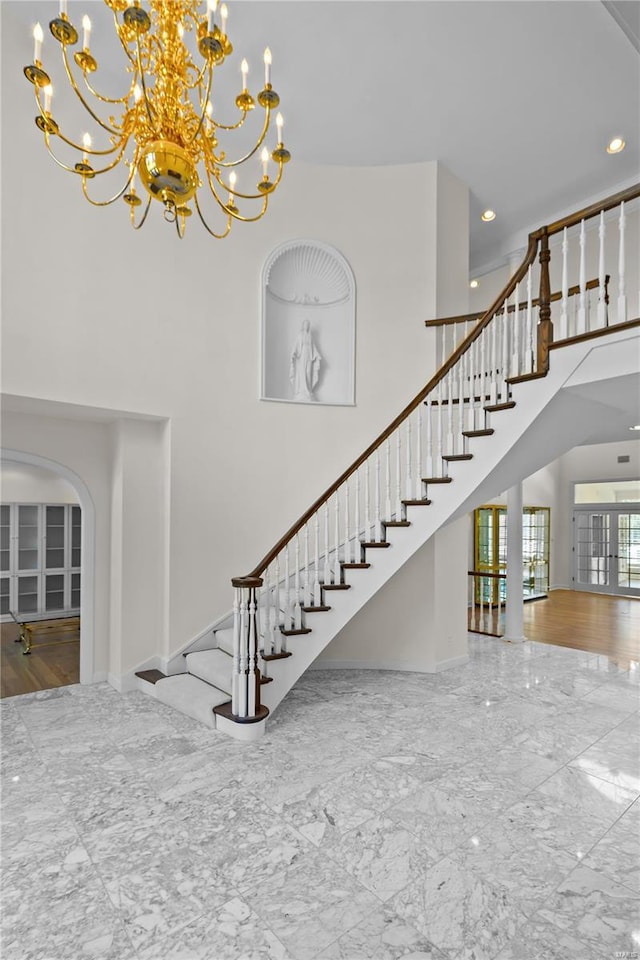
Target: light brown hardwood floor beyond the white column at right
point(594, 622)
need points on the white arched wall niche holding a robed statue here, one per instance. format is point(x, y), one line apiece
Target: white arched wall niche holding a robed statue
point(308, 325)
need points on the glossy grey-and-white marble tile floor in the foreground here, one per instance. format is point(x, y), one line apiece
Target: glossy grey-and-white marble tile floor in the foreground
point(488, 813)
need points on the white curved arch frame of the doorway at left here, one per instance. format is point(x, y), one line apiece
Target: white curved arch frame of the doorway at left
point(87, 599)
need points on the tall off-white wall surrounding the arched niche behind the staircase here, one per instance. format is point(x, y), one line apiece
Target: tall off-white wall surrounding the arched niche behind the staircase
point(143, 324)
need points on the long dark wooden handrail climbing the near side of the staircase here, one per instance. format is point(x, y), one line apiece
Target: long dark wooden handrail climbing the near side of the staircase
point(535, 239)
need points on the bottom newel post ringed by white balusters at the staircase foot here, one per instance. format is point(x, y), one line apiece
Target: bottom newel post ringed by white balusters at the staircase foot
point(245, 693)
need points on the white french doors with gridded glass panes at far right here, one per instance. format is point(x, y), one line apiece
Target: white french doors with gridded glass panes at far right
point(606, 550)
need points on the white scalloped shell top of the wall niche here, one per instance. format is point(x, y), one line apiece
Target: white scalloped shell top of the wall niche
point(310, 274)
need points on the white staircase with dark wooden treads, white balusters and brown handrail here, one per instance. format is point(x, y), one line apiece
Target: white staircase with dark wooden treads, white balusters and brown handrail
point(479, 426)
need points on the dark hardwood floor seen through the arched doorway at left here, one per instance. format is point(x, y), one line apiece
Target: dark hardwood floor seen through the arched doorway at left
point(54, 660)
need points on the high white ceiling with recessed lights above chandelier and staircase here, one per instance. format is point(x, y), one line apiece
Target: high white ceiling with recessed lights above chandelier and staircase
point(518, 99)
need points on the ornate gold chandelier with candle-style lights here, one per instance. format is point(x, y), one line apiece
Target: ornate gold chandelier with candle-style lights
point(165, 134)
